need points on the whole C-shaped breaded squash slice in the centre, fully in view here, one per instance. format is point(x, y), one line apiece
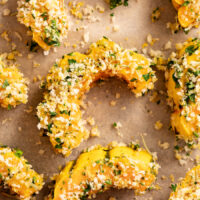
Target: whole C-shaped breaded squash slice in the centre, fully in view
point(73, 75)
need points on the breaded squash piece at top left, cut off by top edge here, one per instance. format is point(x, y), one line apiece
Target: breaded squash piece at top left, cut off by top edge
point(46, 19)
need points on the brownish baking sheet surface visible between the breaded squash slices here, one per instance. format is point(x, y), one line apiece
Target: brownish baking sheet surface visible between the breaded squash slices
point(140, 114)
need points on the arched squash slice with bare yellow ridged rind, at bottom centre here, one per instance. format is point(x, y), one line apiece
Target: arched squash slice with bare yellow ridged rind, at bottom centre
point(101, 168)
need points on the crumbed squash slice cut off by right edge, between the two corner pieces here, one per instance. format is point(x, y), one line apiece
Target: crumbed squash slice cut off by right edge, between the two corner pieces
point(183, 85)
